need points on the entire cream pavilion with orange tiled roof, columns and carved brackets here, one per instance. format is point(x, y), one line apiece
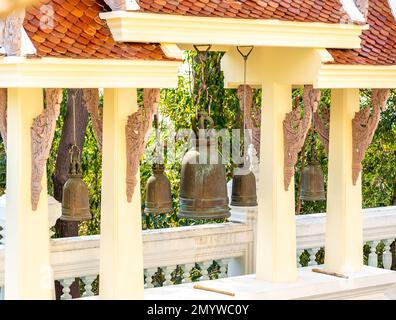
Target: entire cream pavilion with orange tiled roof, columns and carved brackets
point(121, 45)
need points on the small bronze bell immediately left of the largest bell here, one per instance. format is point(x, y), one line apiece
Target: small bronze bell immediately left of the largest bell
point(158, 192)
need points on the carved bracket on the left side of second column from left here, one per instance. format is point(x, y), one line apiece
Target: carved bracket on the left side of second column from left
point(91, 100)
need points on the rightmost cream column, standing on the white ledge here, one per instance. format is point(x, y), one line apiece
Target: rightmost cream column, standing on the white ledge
point(344, 232)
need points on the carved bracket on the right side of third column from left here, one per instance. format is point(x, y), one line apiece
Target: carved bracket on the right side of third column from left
point(295, 129)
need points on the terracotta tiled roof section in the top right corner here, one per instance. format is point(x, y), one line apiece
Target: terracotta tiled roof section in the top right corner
point(378, 42)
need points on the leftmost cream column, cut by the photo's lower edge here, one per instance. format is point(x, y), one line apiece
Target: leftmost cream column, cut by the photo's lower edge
point(28, 273)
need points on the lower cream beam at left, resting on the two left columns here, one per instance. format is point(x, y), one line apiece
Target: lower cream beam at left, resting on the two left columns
point(19, 72)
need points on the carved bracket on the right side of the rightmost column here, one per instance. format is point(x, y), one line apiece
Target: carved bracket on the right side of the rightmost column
point(363, 128)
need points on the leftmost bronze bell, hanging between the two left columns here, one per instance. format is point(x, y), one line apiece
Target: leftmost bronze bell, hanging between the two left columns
point(75, 200)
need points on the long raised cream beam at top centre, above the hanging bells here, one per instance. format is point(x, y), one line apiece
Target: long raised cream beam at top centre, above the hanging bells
point(148, 27)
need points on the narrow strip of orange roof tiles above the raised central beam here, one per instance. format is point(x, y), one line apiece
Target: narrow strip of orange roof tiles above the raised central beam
point(328, 11)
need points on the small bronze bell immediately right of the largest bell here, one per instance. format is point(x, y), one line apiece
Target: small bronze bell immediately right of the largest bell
point(244, 192)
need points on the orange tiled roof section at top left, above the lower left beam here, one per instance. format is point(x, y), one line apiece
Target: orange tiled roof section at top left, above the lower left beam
point(78, 32)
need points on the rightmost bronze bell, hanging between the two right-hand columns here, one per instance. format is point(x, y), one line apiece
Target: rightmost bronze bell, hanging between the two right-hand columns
point(312, 188)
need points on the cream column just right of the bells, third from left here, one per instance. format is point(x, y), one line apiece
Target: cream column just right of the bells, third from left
point(276, 229)
